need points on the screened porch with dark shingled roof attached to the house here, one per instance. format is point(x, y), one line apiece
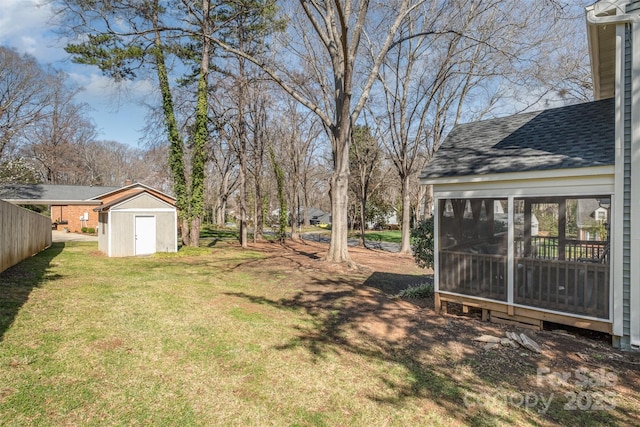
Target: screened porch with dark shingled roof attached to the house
point(522, 216)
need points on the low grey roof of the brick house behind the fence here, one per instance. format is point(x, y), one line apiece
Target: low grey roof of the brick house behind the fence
point(51, 194)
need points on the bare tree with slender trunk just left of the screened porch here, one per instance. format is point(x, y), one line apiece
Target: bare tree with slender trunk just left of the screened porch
point(461, 60)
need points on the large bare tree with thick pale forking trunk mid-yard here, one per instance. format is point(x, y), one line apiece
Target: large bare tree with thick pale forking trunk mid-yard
point(336, 29)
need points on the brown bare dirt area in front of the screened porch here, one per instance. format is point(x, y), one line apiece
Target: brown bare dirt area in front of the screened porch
point(360, 308)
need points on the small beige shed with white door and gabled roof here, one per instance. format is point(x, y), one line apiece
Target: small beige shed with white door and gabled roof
point(138, 223)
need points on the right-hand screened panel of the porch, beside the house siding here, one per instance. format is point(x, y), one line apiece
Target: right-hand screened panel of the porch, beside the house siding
point(557, 266)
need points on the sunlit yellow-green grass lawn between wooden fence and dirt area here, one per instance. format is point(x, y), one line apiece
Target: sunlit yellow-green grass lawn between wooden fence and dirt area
point(221, 336)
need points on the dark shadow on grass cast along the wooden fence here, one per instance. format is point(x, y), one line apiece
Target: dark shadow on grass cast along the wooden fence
point(17, 282)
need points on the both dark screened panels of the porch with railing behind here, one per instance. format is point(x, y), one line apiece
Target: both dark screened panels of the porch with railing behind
point(555, 263)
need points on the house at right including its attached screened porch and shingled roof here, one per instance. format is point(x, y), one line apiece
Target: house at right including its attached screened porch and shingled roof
point(586, 154)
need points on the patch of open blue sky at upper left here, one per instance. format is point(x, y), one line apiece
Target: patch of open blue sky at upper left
point(25, 25)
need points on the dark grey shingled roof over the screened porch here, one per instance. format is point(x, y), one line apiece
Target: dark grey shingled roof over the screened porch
point(575, 136)
